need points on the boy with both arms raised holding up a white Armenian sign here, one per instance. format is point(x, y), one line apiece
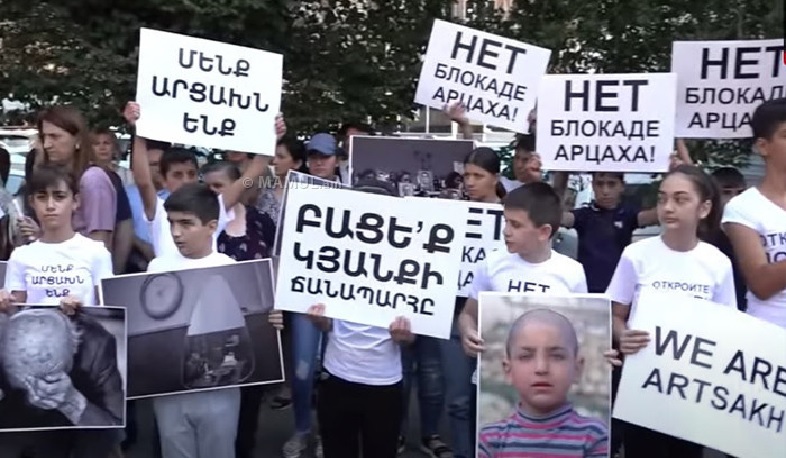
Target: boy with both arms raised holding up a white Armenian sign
point(178, 167)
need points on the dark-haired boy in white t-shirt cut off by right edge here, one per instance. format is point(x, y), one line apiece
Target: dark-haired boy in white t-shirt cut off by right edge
point(755, 221)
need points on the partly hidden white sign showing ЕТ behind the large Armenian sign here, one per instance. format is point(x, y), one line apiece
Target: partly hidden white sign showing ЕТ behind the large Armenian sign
point(484, 224)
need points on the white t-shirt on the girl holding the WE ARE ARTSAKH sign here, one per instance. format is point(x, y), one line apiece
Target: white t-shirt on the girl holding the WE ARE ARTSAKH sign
point(703, 272)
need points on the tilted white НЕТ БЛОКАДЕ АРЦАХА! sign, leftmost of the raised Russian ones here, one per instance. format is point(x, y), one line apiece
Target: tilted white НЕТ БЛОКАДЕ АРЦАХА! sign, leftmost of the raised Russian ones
point(496, 78)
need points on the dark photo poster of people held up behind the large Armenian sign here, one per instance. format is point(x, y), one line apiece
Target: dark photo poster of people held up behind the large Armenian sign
point(416, 167)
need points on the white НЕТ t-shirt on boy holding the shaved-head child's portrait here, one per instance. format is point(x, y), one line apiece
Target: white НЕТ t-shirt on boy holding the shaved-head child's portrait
point(506, 272)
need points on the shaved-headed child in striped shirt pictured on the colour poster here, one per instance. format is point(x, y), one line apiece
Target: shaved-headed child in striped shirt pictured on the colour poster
point(542, 362)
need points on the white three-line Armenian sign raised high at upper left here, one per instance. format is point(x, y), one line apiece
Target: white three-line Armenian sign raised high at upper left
point(206, 93)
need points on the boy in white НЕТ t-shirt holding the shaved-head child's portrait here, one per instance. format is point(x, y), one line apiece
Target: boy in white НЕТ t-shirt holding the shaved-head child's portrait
point(533, 213)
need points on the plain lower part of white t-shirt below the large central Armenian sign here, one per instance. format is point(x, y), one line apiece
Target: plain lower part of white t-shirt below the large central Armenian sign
point(363, 354)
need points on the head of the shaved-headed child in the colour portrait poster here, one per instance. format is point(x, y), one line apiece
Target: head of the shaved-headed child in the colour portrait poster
point(542, 366)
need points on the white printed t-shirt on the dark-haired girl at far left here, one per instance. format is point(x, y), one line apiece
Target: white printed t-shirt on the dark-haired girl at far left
point(49, 272)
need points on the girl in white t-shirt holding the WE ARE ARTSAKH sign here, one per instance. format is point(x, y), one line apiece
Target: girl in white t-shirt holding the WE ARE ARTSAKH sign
point(688, 205)
